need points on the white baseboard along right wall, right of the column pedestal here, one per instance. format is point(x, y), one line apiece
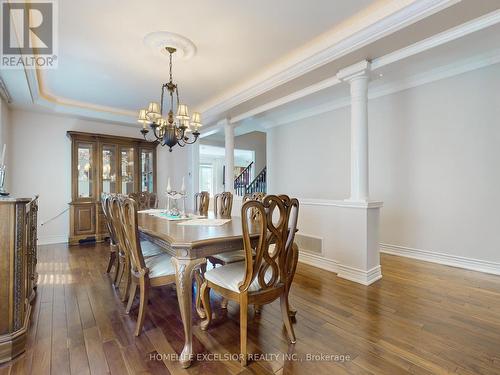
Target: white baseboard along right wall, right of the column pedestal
point(441, 258)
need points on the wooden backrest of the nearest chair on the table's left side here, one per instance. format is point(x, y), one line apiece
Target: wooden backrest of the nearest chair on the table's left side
point(129, 208)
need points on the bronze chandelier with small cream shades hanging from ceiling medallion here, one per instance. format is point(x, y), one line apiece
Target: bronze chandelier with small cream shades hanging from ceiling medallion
point(167, 130)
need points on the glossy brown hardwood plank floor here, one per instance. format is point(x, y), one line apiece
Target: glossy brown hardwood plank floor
point(421, 318)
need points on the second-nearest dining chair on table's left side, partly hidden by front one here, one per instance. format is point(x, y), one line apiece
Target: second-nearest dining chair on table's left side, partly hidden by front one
point(148, 248)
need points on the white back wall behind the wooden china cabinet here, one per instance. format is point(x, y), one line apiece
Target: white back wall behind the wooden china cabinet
point(40, 154)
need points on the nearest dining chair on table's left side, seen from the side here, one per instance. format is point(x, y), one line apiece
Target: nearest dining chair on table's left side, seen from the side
point(146, 272)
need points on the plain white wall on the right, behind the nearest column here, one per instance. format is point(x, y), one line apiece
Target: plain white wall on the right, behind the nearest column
point(434, 161)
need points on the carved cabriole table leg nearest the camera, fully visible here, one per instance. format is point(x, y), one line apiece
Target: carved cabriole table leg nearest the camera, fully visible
point(184, 269)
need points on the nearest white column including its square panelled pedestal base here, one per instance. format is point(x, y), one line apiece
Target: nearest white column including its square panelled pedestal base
point(357, 250)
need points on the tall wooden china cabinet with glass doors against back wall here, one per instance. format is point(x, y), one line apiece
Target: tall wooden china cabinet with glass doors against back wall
point(105, 164)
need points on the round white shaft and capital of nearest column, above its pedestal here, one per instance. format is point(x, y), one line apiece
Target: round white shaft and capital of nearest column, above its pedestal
point(357, 77)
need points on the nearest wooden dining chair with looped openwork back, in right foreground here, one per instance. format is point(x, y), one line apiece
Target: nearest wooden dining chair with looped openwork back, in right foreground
point(265, 276)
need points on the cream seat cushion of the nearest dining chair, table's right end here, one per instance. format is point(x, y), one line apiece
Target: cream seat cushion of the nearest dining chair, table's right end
point(229, 276)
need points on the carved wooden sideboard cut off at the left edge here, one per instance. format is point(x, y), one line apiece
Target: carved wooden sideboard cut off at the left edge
point(18, 253)
